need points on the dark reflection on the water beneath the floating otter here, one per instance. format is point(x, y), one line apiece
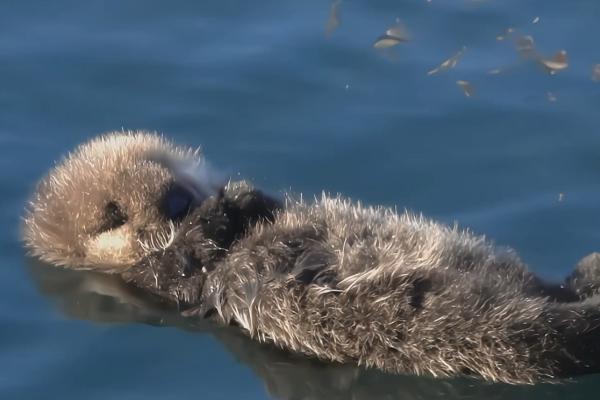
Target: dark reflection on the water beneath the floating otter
point(104, 298)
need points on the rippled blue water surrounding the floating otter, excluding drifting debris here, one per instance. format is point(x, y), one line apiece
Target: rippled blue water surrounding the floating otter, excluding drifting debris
point(270, 97)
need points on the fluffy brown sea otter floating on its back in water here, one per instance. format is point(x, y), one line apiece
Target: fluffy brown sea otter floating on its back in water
point(331, 279)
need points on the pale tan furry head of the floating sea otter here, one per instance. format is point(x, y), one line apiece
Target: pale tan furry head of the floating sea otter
point(114, 199)
